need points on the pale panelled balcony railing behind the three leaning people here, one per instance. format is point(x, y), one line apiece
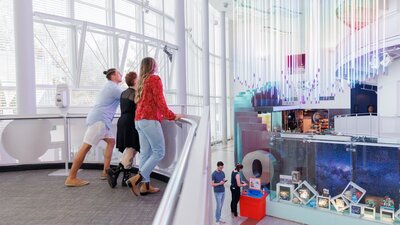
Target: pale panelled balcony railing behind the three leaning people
point(65, 135)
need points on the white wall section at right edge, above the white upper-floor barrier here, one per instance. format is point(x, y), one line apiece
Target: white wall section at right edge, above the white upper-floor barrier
point(388, 93)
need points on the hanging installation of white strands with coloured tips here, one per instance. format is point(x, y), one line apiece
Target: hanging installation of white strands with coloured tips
point(307, 51)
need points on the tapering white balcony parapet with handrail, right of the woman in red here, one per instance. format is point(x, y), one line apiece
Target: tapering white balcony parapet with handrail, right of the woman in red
point(189, 181)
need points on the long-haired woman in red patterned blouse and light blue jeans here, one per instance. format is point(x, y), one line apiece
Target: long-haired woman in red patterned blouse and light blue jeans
point(151, 108)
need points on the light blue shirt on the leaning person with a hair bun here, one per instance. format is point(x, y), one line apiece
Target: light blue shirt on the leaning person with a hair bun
point(107, 101)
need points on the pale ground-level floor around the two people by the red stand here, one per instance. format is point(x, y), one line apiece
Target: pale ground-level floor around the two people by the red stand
point(225, 153)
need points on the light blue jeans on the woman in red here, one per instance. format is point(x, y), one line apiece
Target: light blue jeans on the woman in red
point(152, 146)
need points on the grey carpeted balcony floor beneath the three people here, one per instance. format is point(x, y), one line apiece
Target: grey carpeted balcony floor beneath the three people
point(33, 197)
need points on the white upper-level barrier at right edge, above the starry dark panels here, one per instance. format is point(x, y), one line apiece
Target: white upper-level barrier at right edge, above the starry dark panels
point(369, 125)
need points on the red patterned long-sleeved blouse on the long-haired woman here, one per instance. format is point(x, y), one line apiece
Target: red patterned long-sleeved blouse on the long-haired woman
point(152, 105)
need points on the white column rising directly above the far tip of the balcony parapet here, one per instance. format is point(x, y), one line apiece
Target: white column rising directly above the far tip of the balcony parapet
point(206, 54)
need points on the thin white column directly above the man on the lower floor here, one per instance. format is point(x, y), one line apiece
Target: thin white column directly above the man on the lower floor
point(224, 115)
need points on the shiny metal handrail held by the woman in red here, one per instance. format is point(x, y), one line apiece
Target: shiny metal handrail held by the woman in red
point(170, 198)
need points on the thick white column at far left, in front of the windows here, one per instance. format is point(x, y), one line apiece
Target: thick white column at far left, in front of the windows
point(24, 57)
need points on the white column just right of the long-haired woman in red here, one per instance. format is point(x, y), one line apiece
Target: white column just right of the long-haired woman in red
point(180, 60)
